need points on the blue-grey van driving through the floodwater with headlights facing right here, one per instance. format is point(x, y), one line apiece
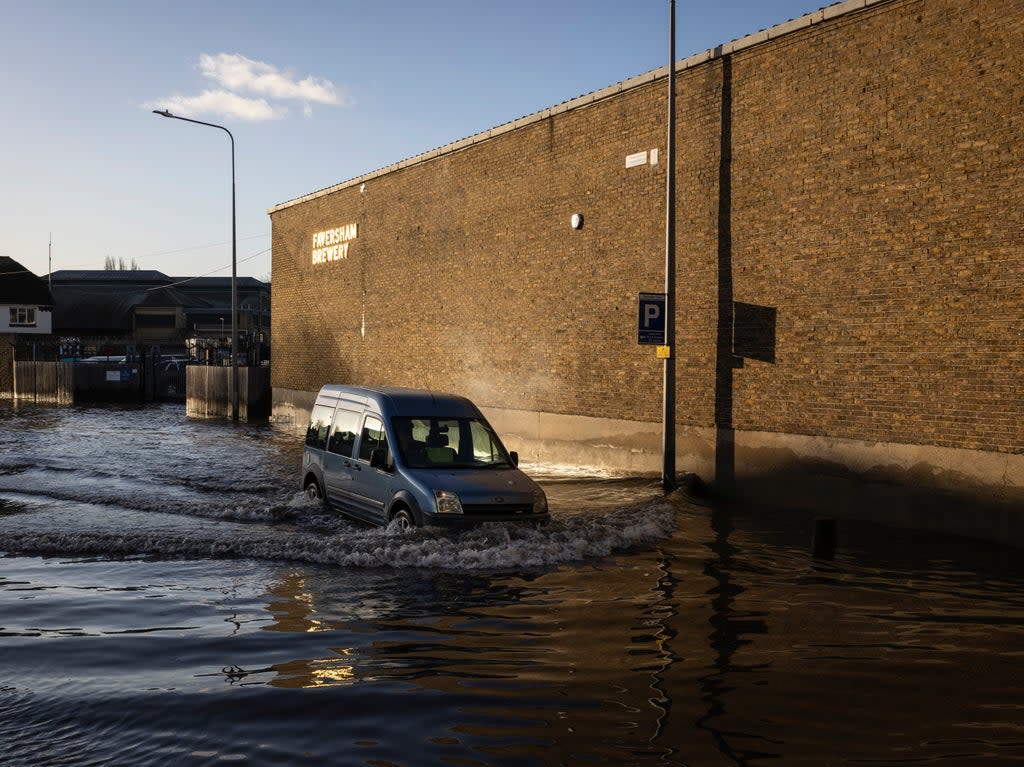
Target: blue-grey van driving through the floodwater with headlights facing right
point(418, 458)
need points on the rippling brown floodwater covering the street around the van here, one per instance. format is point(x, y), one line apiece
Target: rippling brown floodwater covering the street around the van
point(168, 598)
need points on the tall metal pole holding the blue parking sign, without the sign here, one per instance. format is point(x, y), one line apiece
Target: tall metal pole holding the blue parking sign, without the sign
point(669, 410)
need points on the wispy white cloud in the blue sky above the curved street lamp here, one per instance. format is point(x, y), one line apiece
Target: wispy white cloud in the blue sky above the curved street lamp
point(237, 75)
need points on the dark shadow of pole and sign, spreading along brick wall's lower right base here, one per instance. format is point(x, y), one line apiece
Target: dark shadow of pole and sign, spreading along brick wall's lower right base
point(748, 332)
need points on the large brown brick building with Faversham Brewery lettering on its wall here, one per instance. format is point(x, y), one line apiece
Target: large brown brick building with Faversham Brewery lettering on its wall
point(850, 261)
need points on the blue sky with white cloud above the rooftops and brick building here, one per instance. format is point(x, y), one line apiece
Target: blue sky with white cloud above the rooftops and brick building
point(315, 94)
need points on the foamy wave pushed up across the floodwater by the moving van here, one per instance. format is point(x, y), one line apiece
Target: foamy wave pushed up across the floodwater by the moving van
point(304, 534)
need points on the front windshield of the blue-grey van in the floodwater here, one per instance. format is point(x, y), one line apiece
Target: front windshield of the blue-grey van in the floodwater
point(449, 443)
